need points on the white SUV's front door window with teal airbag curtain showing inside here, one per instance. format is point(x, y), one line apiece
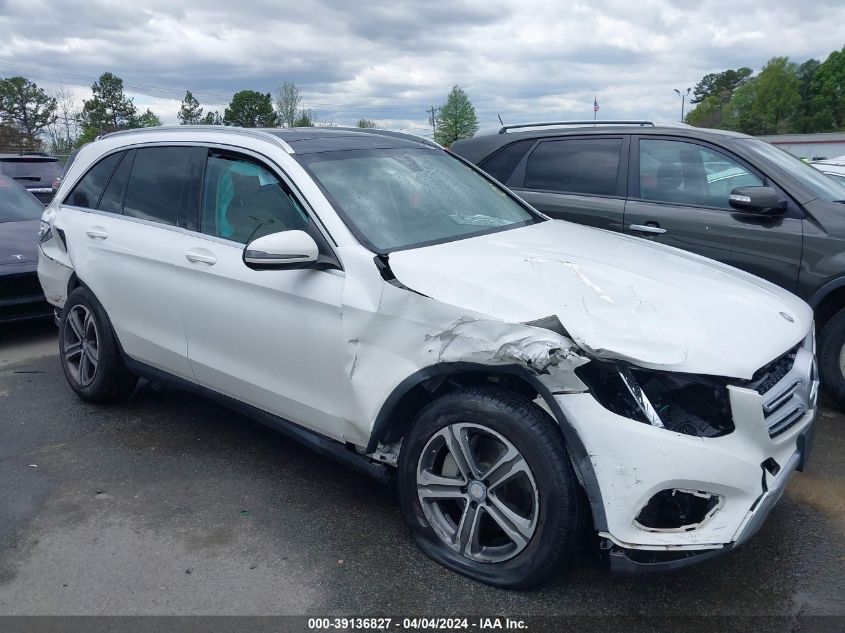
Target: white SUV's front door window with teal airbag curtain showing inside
point(243, 200)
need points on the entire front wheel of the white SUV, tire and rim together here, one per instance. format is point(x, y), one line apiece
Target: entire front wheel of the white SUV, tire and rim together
point(487, 488)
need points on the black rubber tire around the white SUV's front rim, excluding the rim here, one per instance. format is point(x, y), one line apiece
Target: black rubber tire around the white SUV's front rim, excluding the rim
point(534, 434)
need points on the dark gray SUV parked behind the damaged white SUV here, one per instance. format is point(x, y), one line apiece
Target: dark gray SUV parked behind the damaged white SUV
point(723, 195)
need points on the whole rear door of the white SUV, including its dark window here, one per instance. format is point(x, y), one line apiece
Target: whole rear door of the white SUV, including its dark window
point(131, 265)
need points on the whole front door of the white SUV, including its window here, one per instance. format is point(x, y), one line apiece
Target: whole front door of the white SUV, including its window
point(270, 338)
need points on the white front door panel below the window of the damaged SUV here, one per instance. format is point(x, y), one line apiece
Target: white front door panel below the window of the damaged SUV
point(270, 338)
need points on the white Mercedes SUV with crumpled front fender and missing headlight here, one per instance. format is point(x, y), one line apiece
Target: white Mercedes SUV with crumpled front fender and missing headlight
point(393, 307)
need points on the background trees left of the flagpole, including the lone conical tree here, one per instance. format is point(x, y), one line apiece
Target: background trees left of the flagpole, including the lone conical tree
point(31, 119)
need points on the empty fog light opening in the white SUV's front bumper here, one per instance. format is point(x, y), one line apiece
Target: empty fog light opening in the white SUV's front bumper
point(676, 510)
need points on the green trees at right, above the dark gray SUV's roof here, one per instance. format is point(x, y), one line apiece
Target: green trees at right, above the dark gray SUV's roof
point(784, 97)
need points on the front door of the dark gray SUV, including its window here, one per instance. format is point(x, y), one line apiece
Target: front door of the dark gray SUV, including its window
point(682, 188)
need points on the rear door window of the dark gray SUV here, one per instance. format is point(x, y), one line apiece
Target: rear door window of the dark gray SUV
point(575, 166)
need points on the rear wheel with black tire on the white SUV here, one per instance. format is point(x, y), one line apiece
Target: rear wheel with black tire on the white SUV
point(110, 380)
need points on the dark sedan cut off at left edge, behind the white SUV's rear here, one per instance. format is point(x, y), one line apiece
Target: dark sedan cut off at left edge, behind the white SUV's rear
point(20, 293)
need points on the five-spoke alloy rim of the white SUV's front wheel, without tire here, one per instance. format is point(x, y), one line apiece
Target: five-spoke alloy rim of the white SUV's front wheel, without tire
point(477, 492)
